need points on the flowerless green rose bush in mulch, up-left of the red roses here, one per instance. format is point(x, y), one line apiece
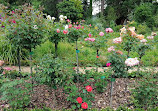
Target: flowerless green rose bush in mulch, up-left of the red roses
point(51, 71)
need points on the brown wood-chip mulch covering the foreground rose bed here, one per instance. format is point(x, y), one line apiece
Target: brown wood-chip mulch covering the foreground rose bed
point(43, 96)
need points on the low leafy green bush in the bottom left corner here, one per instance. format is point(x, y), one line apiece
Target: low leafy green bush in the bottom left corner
point(16, 92)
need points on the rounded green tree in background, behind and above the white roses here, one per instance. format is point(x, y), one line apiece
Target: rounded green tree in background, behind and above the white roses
point(72, 9)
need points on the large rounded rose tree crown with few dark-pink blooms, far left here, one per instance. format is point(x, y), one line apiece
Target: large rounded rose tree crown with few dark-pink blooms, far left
point(22, 27)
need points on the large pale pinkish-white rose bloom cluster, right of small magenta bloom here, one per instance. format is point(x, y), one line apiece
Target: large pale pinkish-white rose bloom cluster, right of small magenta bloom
point(131, 62)
